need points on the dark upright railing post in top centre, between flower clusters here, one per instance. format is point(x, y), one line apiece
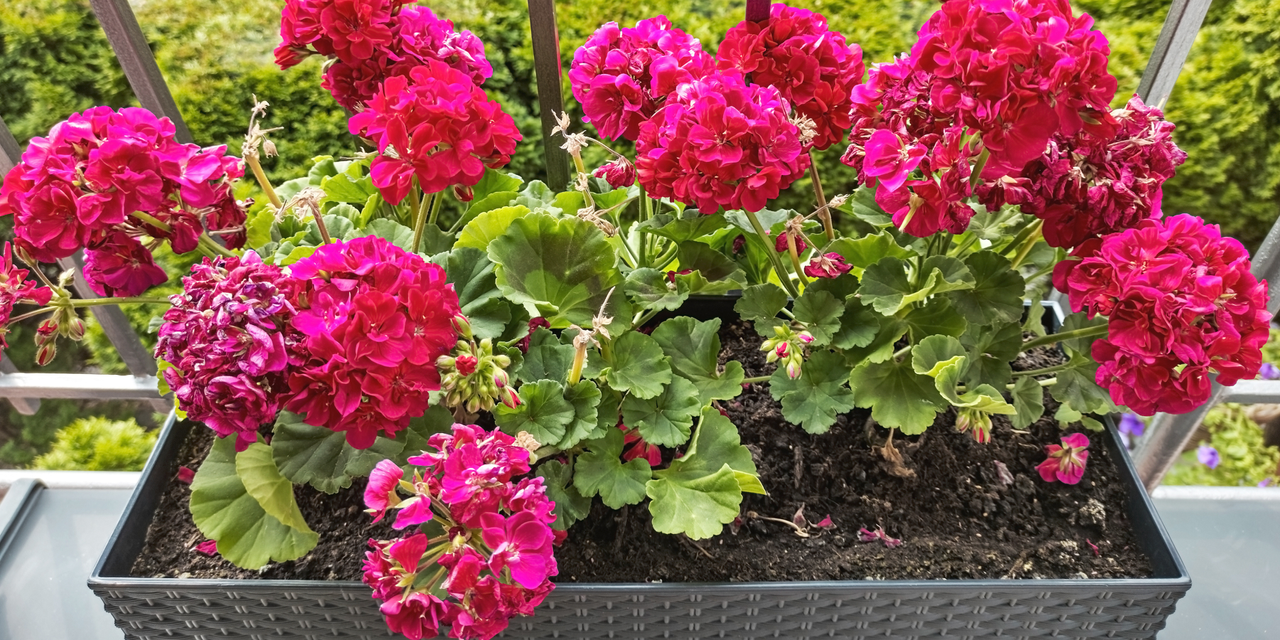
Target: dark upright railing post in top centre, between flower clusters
point(551, 99)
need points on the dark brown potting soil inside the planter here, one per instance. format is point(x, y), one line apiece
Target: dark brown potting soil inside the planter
point(954, 515)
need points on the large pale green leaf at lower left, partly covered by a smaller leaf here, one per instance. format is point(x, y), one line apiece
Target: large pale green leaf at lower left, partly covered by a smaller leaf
point(225, 511)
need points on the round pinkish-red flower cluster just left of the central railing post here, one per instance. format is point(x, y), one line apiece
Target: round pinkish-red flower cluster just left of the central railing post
point(435, 125)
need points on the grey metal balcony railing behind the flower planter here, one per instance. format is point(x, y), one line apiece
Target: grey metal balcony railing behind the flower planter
point(1169, 435)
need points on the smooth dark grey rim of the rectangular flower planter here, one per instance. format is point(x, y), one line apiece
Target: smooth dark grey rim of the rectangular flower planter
point(1176, 578)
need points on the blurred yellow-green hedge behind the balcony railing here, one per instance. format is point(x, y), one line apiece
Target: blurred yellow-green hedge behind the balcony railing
point(217, 54)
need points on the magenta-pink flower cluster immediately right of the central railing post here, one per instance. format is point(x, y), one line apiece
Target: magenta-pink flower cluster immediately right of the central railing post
point(623, 76)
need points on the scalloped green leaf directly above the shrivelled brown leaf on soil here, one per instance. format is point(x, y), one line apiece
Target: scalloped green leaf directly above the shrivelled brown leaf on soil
point(897, 395)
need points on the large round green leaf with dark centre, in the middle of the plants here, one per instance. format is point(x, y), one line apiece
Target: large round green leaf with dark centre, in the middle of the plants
point(564, 268)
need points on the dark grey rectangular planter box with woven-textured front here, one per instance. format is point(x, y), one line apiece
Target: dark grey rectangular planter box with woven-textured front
point(156, 609)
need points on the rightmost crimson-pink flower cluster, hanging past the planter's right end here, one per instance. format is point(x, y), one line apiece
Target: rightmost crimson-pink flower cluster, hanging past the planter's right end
point(1181, 304)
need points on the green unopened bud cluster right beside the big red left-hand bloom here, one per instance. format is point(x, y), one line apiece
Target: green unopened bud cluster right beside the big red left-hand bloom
point(474, 377)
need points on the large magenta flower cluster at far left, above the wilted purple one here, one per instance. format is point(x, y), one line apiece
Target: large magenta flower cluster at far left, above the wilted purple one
point(104, 180)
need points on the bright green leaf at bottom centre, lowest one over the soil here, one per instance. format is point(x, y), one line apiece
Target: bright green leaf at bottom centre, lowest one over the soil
point(702, 491)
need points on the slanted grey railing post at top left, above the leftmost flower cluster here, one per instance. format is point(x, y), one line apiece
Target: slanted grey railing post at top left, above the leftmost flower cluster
point(138, 61)
